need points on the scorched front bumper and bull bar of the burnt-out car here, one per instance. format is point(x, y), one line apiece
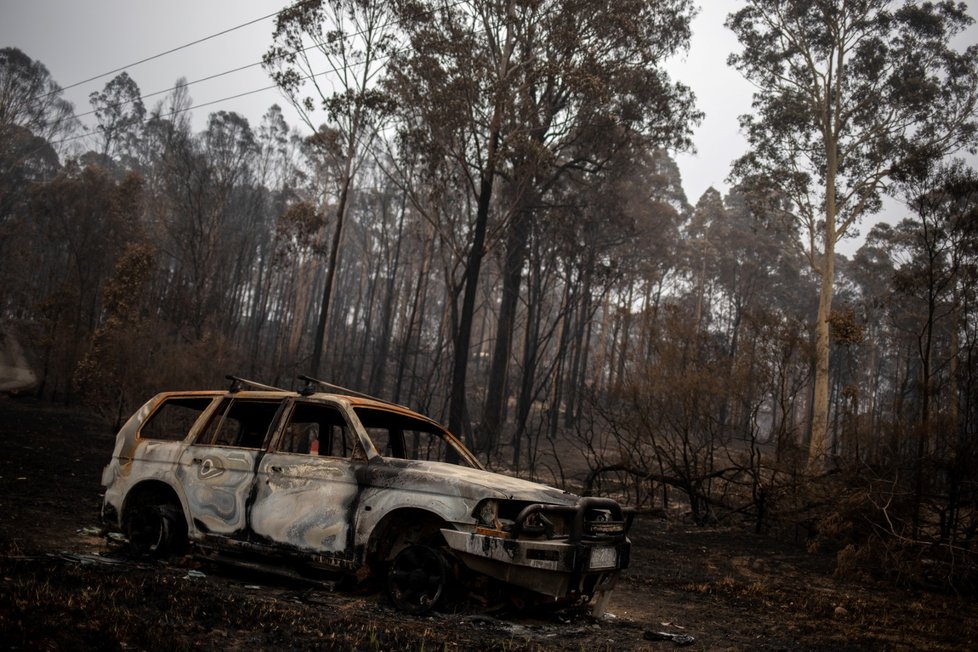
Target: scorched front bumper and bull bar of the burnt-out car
point(586, 559)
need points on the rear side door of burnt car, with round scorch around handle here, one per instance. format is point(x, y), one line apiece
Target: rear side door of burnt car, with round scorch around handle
point(217, 471)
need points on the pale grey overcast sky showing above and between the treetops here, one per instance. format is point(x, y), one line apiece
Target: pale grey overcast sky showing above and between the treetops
point(80, 39)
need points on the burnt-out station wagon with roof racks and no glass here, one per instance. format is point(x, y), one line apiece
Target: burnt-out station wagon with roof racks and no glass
point(314, 482)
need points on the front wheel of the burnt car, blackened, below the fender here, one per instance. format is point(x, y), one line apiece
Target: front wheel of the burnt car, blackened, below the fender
point(418, 579)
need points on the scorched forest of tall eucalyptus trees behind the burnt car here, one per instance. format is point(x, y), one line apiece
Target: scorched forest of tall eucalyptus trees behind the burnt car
point(479, 217)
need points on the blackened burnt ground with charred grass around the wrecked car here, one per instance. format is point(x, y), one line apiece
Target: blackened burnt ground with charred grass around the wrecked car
point(64, 586)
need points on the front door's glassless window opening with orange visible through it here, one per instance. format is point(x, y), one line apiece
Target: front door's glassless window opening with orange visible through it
point(317, 429)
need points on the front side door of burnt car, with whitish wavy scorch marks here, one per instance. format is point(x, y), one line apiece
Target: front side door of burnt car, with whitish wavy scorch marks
point(306, 489)
